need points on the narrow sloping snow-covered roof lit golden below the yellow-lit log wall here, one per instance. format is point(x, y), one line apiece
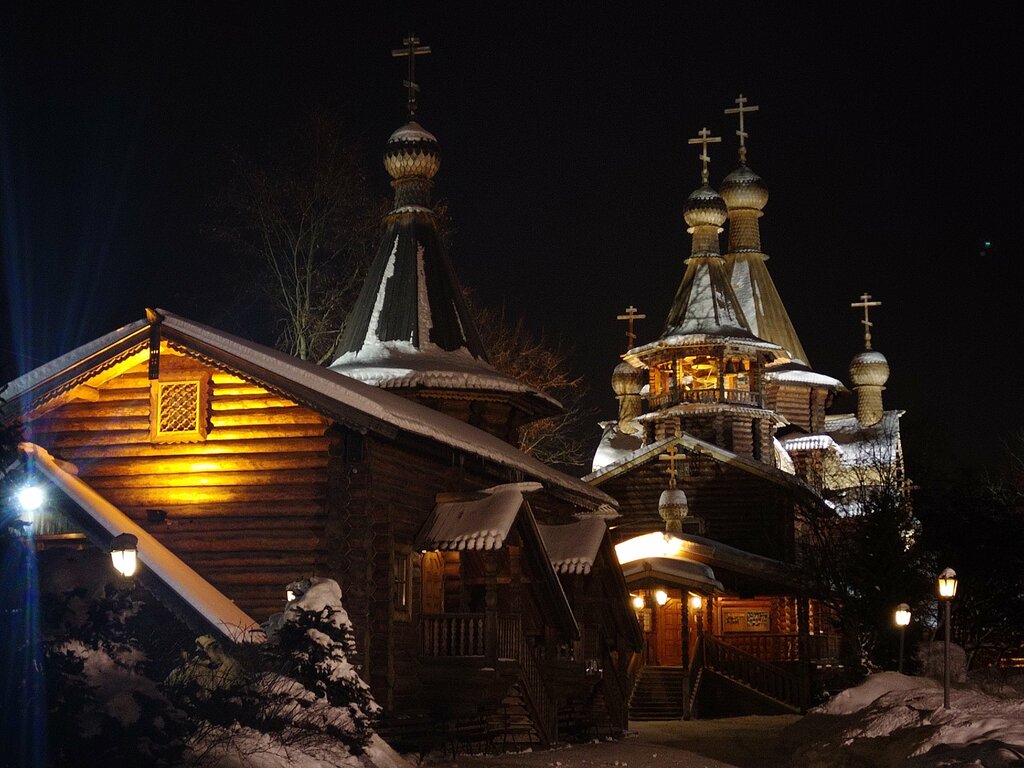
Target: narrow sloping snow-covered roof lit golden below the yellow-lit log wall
point(212, 605)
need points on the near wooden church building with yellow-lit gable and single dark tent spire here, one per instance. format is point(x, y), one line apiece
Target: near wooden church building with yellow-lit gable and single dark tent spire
point(483, 585)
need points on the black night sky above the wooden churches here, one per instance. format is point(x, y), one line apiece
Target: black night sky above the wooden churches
point(889, 144)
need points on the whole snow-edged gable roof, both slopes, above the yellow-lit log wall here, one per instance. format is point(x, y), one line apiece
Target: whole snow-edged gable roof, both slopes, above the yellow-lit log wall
point(350, 402)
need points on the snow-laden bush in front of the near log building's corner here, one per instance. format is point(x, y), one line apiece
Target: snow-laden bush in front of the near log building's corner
point(297, 693)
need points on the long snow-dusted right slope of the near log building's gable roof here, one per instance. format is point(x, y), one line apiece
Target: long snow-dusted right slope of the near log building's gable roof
point(368, 408)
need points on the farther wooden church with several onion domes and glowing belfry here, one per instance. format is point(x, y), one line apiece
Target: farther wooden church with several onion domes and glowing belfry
point(722, 449)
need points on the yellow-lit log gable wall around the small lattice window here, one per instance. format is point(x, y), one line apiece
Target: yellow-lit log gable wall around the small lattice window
point(243, 506)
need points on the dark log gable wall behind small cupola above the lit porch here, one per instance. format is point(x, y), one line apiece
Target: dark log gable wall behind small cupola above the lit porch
point(737, 508)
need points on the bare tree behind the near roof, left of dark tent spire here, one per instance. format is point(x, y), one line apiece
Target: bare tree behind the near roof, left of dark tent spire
point(306, 216)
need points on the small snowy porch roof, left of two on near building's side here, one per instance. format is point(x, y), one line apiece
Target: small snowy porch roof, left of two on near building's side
point(477, 525)
